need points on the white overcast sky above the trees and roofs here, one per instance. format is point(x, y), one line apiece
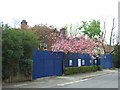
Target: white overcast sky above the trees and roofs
point(58, 12)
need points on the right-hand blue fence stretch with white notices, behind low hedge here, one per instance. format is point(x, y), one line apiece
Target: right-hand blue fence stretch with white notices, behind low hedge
point(105, 60)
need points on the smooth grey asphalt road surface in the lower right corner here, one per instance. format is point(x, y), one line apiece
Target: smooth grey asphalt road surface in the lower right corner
point(105, 81)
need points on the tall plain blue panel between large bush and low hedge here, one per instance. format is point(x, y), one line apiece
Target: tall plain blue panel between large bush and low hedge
point(46, 63)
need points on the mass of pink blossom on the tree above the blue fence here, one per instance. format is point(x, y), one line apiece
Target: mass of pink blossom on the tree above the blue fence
point(74, 44)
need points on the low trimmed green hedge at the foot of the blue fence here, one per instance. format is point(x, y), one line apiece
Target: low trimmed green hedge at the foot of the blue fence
point(82, 69)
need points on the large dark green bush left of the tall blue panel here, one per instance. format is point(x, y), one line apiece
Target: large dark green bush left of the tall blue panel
point(17, 45)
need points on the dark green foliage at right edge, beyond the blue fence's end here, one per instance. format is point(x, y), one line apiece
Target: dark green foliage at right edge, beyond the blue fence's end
point(116, 56)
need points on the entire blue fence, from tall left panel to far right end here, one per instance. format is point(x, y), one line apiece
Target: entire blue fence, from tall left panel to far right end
point(47, 63)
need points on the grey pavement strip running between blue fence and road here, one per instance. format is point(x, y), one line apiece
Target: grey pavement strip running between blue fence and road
point(53, 81)
